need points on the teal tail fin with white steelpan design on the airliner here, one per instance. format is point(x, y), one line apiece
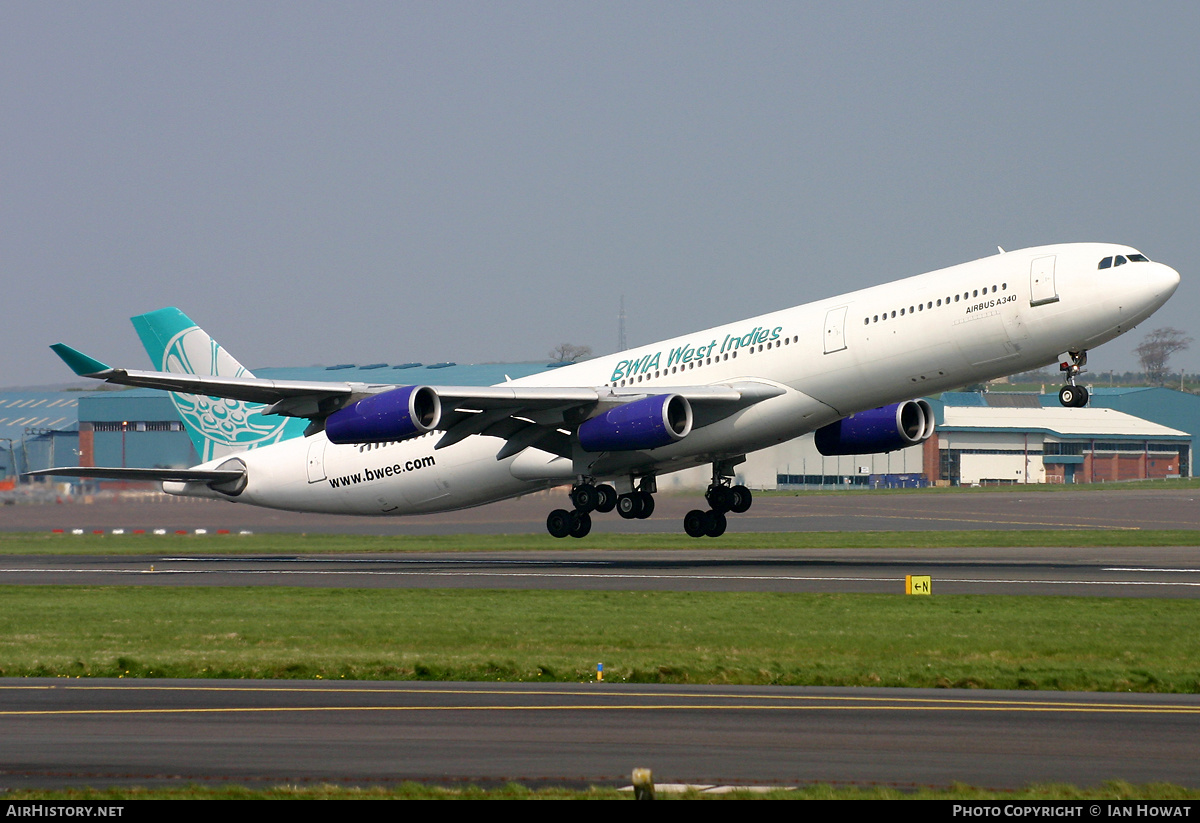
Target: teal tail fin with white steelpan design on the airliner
point(218, 428)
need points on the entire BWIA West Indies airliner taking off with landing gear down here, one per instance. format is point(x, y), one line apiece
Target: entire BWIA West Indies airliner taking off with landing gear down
point(851, 369)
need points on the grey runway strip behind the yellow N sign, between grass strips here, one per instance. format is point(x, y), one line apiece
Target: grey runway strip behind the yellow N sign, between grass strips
point(1114, 573)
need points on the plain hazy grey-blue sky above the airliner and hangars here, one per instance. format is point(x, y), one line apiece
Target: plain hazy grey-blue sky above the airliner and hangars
point(479, 182)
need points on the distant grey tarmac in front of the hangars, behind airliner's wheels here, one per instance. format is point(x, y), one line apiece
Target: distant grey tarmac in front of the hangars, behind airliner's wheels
point(1125, 509)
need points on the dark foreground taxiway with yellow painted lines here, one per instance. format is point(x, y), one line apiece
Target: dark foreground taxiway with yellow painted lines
point(153, 732)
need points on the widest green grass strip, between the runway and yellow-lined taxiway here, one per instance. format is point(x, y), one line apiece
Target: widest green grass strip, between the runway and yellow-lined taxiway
point(962, 641)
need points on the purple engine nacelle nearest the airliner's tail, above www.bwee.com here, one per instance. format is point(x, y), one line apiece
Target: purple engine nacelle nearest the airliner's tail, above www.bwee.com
point(391, 416)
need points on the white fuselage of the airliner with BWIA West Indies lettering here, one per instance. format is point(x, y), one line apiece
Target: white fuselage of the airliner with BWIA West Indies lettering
point(832, 358)
